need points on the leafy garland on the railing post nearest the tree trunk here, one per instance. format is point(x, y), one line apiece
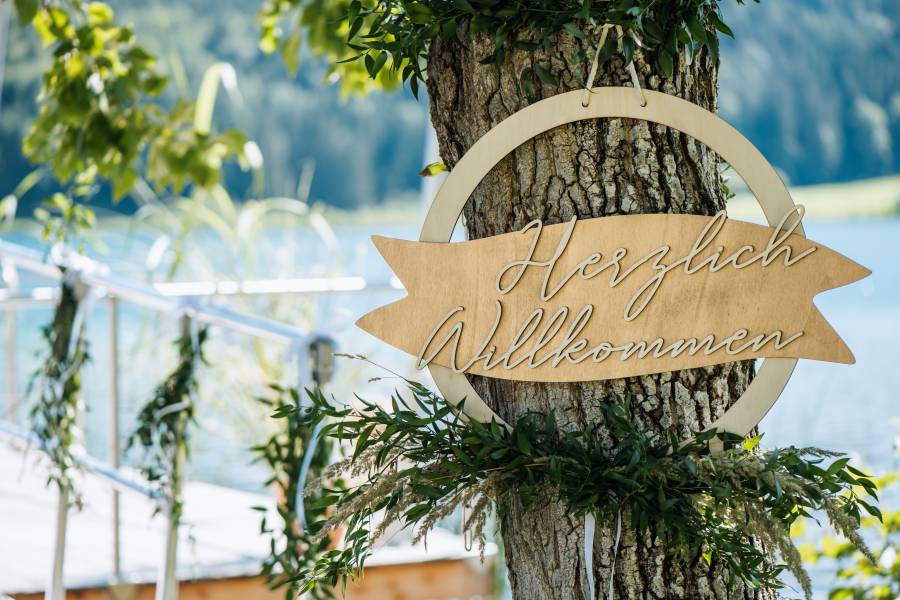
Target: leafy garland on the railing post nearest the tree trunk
point(293, 548)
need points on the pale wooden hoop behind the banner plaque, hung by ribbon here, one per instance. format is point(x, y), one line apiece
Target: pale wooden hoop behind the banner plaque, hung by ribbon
point(551, 117)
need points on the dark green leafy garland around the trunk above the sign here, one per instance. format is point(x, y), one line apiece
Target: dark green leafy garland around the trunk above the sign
point(396, 35)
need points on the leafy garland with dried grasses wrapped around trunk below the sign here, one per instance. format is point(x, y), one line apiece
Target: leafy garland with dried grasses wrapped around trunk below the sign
point(421, 460)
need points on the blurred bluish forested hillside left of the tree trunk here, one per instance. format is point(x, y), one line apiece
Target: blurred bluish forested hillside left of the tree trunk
point(294, 120)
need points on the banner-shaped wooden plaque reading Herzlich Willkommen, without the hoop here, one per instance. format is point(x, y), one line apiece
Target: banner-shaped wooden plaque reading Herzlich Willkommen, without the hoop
point(613, 297)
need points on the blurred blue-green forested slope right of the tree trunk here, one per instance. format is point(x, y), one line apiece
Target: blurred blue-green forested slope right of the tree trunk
point(815, 84)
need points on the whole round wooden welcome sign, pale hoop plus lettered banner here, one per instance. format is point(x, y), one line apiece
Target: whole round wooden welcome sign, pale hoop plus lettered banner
point(620, 296)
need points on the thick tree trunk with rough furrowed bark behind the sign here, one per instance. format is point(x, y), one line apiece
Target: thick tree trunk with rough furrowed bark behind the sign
point(589, 169)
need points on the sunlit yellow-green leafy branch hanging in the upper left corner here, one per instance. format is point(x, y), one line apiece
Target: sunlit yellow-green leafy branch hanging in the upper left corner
point(96, 114)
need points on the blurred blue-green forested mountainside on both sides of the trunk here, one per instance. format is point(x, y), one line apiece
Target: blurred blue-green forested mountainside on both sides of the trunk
point(815, 84)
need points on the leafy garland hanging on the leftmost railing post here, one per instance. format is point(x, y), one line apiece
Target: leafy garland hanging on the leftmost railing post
point(55, 414)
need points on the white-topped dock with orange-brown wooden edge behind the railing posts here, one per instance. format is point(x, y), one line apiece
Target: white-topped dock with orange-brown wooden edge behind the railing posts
point(219, 552)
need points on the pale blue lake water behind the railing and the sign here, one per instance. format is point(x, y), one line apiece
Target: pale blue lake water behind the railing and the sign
point(852, 408)
